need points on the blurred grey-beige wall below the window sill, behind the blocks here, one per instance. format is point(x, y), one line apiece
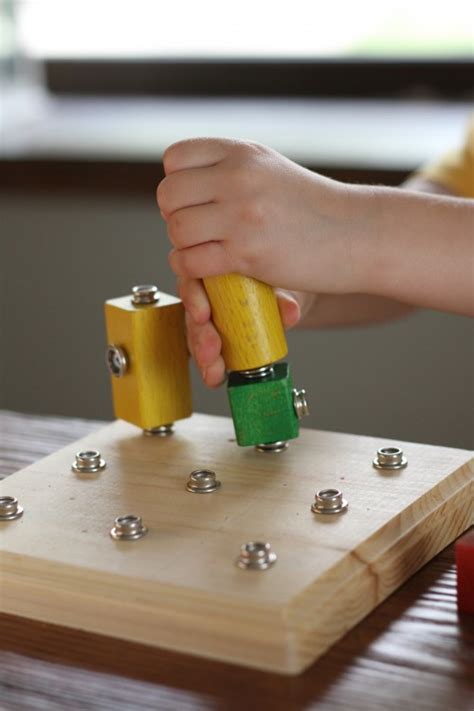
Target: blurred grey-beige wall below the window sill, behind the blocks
point(61, 257)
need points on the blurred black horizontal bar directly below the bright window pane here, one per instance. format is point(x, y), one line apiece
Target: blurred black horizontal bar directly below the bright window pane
point(329, 77)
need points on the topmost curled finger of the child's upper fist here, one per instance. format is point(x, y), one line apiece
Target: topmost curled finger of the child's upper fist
point(195, 153)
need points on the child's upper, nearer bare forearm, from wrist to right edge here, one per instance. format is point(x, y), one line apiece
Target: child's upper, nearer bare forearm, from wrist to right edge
point(419, 248)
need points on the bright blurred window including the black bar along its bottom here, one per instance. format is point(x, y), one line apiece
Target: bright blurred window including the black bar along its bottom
point(253, 47)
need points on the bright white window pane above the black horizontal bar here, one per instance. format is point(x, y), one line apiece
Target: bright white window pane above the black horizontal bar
point(265, 29)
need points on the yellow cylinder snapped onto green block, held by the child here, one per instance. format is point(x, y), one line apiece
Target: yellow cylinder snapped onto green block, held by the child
point(265, 407)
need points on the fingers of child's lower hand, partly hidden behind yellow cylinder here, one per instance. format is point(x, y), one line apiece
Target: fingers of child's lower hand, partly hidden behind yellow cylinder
point(204, 342)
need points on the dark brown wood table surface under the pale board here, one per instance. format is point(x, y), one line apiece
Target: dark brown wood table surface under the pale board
point(413, 652)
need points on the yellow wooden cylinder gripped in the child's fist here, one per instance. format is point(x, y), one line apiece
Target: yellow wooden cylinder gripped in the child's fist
point(245, 312)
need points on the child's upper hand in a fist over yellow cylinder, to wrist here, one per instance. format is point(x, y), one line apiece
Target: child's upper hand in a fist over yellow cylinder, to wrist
point(233, 206)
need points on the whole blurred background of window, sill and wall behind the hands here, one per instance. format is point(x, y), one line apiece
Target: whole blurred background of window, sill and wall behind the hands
point(92, 93)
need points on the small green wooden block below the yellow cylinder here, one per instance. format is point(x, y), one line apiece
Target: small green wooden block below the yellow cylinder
point(262, 410)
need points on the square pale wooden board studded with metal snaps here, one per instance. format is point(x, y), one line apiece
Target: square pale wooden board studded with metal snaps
point(178, 587)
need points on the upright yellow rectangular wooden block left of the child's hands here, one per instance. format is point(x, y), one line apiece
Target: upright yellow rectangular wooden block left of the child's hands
point(156, 390)
